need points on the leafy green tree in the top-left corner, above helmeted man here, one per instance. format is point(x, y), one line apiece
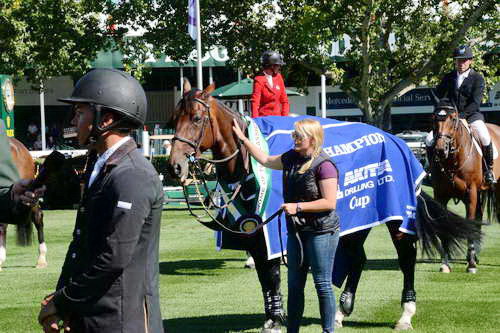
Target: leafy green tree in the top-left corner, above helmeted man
point(41, 39)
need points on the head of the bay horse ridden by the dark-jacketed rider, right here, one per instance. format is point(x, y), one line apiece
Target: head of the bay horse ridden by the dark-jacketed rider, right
point(445, 126)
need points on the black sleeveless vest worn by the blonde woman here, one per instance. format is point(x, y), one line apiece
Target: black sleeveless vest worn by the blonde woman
point(303, 188)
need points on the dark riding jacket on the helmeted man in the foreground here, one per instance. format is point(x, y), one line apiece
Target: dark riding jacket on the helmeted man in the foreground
point(109, 280)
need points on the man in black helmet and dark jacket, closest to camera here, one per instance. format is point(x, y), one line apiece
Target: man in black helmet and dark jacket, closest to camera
point(109, 280)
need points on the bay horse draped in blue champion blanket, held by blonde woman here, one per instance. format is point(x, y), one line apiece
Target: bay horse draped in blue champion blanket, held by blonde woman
point(202, 123)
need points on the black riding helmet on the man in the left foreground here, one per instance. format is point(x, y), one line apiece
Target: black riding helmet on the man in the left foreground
point(113, 90)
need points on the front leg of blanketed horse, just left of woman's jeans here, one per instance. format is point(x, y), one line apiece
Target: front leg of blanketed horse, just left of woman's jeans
point(268, 272)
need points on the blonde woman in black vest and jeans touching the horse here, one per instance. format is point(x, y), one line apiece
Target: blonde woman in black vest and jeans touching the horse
point(310, 197)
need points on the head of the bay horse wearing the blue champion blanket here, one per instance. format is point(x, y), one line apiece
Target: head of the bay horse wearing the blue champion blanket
point(194, 128)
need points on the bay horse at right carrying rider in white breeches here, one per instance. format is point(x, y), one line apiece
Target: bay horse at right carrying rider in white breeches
point(457, 172)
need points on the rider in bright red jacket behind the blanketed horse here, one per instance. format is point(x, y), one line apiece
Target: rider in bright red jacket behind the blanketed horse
point(269, 96)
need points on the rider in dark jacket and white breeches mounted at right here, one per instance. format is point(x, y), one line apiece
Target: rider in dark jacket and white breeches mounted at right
point(464, 87)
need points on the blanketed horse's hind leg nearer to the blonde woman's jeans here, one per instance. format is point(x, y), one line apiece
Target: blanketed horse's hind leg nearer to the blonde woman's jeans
point(352, 247)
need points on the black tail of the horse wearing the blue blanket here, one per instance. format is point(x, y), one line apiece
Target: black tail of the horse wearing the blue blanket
point(441, 231)
